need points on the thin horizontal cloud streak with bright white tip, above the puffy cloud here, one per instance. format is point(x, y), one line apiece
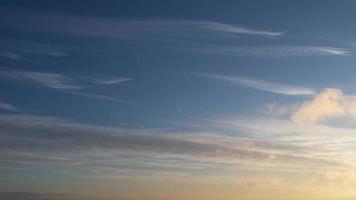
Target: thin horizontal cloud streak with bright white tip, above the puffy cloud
point(278, 51)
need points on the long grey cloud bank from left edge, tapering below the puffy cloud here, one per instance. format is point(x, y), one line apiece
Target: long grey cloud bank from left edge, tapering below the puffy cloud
point(53, 142)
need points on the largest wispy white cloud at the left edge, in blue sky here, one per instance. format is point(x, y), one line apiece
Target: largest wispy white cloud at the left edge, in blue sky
point(51, 80)
